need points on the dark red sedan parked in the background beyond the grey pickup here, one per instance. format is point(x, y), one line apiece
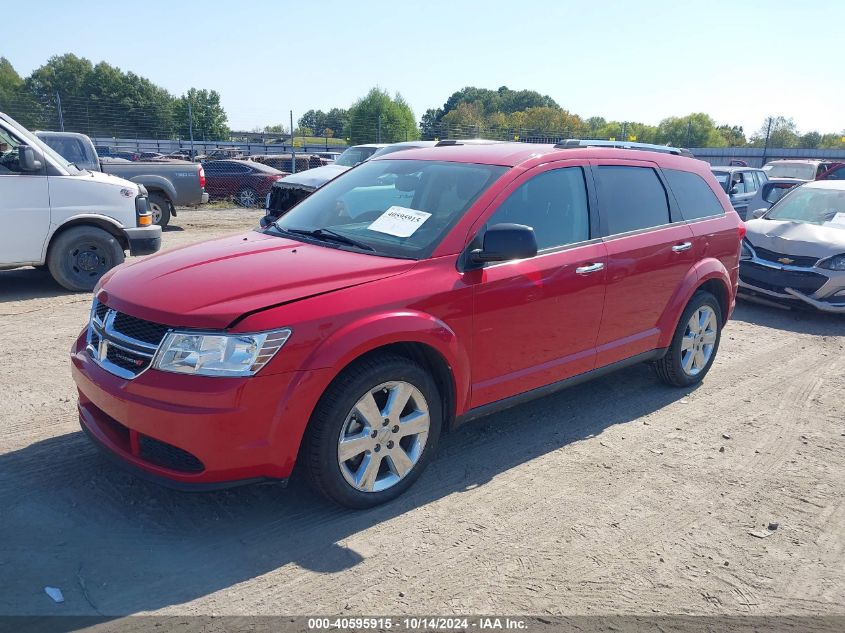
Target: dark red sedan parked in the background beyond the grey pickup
point(244, 181)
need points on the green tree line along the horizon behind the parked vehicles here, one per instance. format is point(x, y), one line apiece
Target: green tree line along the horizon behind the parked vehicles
point(102, 100)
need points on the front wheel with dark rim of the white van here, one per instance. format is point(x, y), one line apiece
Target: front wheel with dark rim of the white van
point(81, 255)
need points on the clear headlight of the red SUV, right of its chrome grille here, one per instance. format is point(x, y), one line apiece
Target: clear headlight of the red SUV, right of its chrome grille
point(218, 354)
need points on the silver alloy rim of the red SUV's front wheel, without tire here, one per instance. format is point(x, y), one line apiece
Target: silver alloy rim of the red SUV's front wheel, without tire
point(383, 437)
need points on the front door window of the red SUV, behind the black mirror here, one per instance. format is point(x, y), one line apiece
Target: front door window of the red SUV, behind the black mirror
point(554, 204)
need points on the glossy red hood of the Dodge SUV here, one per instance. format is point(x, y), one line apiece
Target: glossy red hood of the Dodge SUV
point(209, 285)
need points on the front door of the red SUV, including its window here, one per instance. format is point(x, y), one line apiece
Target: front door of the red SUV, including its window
point(536, 320)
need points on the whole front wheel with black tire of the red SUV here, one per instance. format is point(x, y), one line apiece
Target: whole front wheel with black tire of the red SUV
point(373, 432)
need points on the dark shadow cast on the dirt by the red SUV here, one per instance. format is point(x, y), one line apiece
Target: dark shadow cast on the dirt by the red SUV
point(118, 545)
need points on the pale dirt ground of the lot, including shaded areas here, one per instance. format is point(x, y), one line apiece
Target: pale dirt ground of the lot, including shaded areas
point(620, 496)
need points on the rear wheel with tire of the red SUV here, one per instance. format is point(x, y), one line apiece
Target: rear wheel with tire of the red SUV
point(695, 343)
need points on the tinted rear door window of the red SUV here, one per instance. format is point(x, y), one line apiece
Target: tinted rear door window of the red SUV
point(632, 198)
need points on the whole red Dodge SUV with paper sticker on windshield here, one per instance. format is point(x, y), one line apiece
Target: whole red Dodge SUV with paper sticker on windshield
point(406, 296)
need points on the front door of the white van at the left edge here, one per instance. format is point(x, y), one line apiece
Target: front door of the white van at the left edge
point(24, 206)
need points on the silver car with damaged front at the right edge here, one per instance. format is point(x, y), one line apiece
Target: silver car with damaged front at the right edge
point(796, 250)
